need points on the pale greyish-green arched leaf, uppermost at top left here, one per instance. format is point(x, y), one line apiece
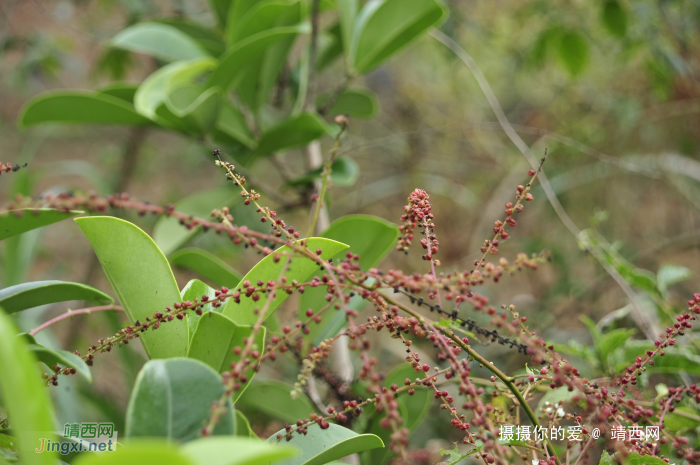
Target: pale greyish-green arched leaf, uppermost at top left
point(158, 40)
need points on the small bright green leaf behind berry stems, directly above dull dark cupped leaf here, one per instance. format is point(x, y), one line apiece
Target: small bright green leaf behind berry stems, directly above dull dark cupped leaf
point(214, 340)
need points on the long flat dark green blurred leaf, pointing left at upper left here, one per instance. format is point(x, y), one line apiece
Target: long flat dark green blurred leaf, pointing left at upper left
point(75, 107)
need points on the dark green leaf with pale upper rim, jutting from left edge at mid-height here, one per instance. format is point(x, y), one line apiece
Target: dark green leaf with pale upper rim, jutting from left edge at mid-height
point(33, 294)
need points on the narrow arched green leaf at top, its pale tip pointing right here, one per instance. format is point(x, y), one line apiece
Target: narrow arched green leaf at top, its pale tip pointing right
point(234, 64)
